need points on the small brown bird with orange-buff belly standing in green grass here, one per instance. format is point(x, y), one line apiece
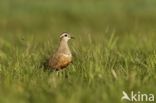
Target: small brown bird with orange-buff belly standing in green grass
point(63, 56)
